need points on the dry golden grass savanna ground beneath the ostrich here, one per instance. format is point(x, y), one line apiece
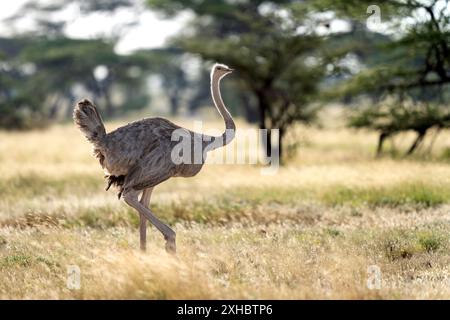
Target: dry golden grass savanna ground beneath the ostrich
point(310, 231)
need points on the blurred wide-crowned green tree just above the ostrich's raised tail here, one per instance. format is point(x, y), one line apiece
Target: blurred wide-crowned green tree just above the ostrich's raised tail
point(79, 60)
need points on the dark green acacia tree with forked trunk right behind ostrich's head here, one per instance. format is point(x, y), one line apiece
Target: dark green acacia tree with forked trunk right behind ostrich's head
point(278, 65)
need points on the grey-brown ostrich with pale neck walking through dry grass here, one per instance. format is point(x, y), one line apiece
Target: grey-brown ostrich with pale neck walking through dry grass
point(138, 156)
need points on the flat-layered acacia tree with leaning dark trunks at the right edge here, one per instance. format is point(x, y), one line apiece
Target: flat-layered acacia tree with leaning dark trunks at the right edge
point(415, 65)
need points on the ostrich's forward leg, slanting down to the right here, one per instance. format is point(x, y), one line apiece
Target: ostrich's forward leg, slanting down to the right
point(131, 198)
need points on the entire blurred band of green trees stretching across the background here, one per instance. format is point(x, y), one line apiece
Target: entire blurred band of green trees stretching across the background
point(291, 59)
